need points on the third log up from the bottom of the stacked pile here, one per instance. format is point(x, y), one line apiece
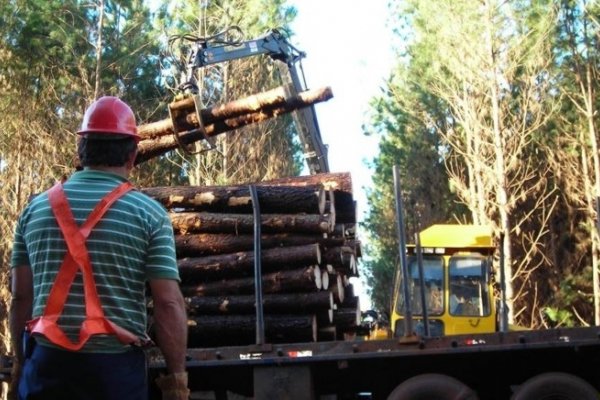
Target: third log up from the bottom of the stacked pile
point(299, 280)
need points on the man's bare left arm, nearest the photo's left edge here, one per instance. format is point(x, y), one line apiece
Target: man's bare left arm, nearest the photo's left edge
point(21, 305)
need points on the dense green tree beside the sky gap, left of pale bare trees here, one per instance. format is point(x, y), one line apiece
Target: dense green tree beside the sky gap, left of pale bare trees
point(405, 116)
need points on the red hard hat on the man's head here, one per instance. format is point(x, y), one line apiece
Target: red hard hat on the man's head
point(110, 116)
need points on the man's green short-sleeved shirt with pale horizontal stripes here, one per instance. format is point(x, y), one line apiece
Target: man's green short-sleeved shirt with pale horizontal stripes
point(132, 243)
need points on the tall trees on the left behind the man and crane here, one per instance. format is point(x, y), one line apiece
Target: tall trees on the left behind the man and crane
point(49, 56)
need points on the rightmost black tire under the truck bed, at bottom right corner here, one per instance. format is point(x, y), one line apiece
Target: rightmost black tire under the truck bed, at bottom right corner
point(555, 386)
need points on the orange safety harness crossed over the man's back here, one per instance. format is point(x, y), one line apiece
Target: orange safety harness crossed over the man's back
point(77, 256)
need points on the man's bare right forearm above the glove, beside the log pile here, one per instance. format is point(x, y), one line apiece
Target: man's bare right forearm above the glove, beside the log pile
point(170, 322)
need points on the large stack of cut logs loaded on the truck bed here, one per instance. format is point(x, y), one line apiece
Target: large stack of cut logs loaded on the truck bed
point(308, 253)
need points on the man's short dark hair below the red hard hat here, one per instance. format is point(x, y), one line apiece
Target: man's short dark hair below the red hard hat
point(102, 152)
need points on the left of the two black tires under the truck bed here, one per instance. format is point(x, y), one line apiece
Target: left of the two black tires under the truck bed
point(432, 387)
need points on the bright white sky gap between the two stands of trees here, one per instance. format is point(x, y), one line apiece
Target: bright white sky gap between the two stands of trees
point(348, 48)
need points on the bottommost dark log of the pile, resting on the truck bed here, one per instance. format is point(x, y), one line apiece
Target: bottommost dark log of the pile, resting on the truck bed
point(223, 330)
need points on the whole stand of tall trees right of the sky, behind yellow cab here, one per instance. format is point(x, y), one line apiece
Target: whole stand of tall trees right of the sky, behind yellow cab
point(506, 78)
